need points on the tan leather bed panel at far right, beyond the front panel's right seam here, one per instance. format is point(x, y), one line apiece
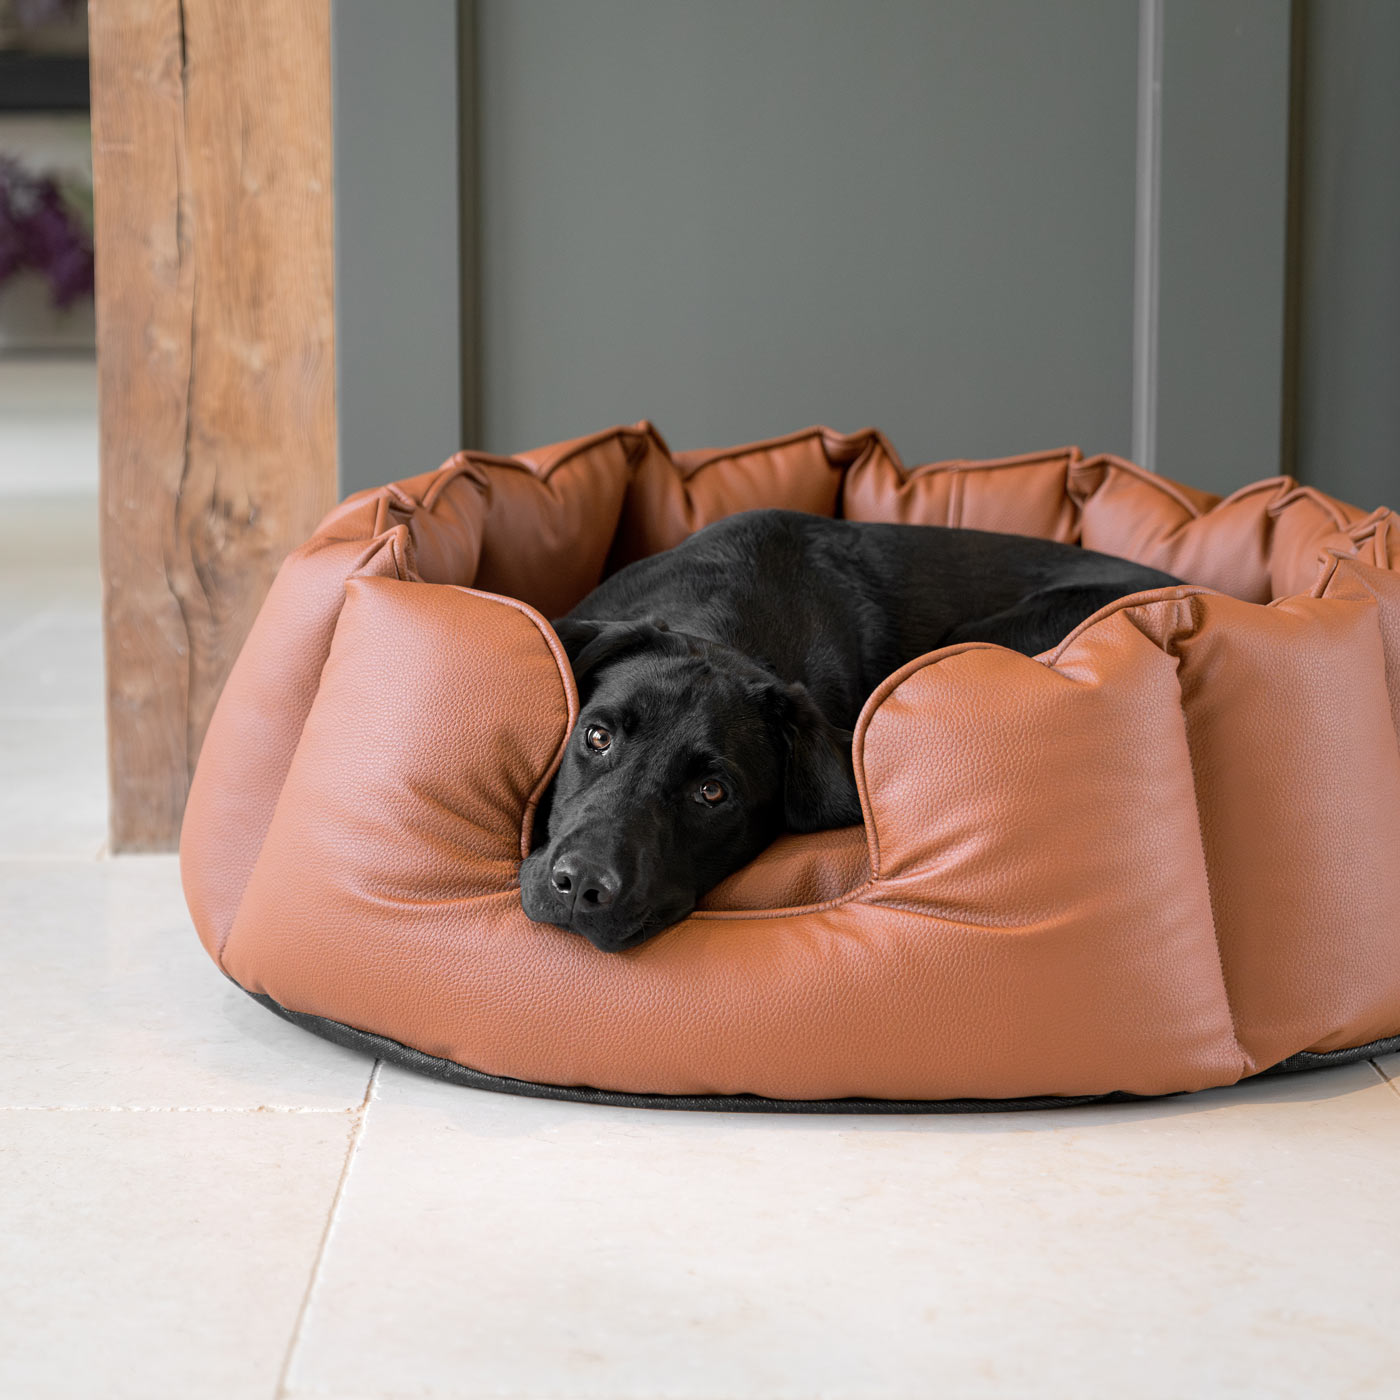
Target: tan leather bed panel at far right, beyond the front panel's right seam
point(1298, 785)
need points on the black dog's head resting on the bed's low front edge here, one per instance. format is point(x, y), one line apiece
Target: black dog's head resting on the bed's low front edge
point(688, 759)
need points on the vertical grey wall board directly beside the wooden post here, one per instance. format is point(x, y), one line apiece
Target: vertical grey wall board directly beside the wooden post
point(400, 363)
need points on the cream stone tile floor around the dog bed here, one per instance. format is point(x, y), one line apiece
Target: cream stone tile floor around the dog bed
point(199, 1200)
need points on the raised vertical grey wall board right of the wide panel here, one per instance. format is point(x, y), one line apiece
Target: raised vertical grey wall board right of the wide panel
point(1224, 201)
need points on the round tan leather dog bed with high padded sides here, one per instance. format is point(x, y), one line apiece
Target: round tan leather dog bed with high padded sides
point(1161, 857)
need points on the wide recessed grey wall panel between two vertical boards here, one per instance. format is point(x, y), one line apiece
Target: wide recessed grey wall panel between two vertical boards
point(738, 219)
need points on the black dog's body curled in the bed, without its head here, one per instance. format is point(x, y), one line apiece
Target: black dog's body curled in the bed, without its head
point(838, 605)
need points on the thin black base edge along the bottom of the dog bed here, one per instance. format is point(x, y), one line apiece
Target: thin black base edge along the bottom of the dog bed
point(449, 1070)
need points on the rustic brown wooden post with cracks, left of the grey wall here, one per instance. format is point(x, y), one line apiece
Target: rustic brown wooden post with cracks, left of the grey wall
point(215, 325)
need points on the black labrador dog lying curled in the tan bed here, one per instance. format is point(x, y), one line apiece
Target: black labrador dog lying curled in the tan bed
point(720, 681)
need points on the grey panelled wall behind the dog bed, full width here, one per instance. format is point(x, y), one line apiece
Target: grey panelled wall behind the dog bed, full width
point(1168, 229)
